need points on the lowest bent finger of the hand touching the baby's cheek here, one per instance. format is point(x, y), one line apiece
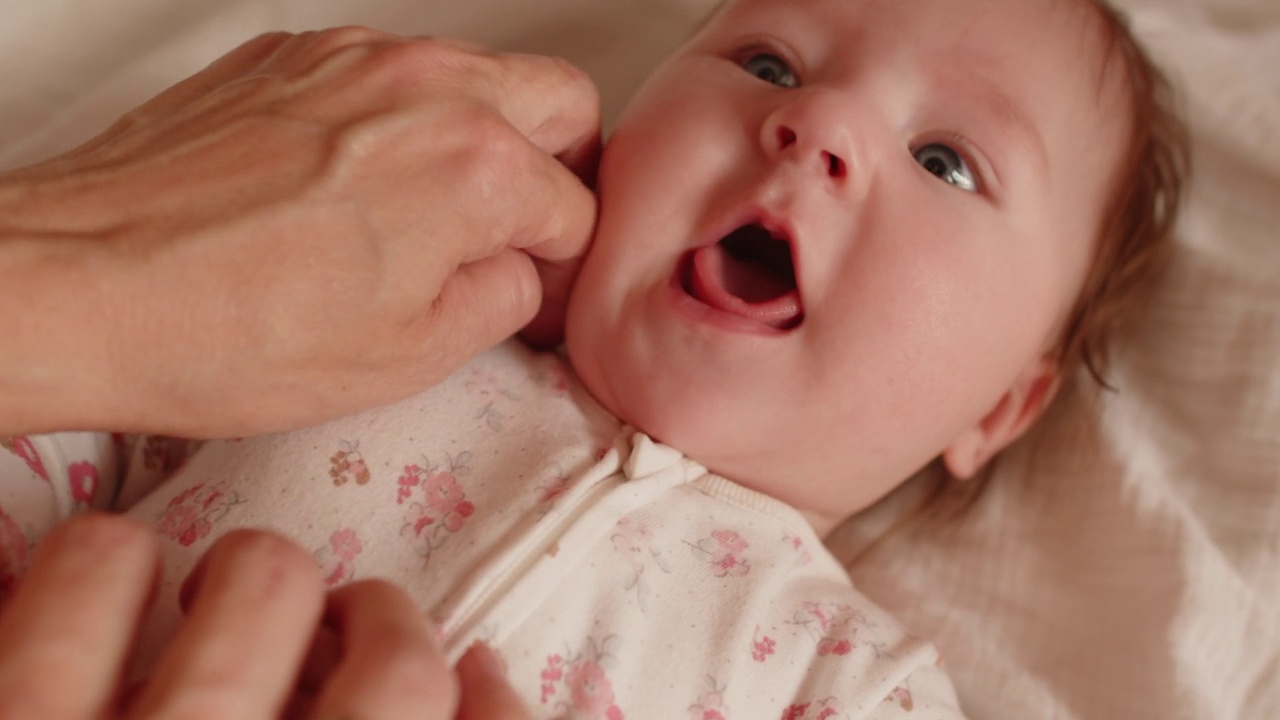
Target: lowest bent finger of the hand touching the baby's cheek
point(482, 304)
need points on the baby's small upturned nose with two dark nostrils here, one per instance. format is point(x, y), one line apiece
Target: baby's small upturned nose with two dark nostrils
point(813, 131)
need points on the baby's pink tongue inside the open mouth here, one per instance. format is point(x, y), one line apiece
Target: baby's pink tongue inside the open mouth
point(744, 288)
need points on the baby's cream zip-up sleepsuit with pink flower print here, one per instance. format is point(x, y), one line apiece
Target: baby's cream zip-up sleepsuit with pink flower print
point(616, 577)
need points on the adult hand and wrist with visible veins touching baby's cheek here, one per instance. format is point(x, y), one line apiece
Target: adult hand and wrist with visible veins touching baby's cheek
point(314, 225)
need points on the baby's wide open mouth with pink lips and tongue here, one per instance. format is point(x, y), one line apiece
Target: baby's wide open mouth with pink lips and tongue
point(751, 275)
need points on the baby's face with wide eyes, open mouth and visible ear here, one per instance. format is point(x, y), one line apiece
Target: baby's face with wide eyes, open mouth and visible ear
point(838, 236)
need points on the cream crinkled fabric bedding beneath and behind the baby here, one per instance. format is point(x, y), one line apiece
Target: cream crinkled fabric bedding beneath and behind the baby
point(1124, 562)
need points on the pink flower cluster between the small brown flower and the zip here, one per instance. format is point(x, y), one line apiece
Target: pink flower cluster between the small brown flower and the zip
point(442, 507)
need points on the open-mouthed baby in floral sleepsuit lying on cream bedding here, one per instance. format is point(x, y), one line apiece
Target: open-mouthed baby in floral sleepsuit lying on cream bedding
point(838, 240)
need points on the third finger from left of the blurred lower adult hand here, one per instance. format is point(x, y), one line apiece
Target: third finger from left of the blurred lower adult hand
point(391, 664)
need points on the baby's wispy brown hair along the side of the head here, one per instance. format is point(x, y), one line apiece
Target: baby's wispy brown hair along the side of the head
point(1135, 240)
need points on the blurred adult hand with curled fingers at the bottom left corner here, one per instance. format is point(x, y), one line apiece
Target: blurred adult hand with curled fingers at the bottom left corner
point(254, 608)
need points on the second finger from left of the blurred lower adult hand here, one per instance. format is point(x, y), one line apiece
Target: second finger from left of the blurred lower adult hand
point(255, 603)
